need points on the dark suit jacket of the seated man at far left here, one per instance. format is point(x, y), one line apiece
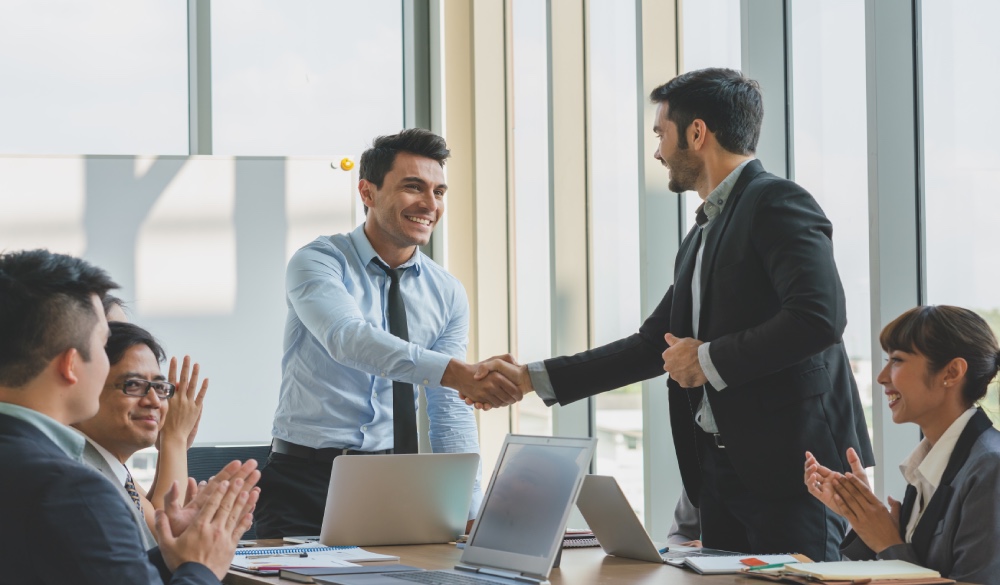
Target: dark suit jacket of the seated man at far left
point(62, 522)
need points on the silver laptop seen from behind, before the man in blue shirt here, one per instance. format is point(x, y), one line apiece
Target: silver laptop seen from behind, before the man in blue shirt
point(378, 500)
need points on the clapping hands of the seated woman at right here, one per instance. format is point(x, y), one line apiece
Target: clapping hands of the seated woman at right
point(850, 496)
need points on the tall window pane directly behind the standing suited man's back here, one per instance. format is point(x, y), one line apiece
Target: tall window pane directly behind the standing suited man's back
point(830, 152)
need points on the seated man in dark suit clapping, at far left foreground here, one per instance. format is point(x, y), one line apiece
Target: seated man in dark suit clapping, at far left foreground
point(62, 521)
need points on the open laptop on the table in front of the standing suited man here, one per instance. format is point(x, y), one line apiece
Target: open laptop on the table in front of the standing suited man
point(618, 529)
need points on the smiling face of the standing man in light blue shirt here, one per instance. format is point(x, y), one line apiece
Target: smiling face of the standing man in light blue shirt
point(403, 213)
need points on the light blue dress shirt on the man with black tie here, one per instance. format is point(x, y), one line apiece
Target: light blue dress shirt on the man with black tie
point(339, 358)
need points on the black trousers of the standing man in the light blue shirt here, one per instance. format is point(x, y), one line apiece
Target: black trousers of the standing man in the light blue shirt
point(292, 496)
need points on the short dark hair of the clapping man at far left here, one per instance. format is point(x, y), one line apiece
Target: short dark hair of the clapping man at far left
point(46, 308)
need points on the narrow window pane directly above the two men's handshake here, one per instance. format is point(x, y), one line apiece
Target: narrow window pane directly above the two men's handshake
point(532, 265)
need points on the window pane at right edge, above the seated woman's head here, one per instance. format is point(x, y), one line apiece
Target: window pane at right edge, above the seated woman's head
point(962, 158)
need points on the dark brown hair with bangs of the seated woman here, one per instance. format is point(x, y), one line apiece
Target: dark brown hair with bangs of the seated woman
point(942, 333)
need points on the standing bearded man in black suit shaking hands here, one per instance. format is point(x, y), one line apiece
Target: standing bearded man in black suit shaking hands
point(750, 332)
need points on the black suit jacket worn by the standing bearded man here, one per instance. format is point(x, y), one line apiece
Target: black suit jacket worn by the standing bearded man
point(773, 309)
